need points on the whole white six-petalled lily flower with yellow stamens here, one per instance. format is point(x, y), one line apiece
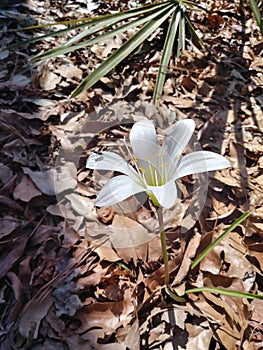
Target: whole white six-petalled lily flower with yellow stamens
point(155, 168)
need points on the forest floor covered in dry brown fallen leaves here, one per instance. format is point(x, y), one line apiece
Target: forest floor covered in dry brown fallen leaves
point(61, 285)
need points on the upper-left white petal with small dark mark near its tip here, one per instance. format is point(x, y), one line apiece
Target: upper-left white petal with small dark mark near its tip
point(110, 161)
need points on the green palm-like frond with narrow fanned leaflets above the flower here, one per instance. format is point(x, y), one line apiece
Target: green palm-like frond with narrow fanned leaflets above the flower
point(145, 19)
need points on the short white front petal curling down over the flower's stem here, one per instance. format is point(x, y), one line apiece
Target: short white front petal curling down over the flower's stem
point(166, 195)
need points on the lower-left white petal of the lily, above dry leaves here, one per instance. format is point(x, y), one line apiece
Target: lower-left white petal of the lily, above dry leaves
point(116, 190)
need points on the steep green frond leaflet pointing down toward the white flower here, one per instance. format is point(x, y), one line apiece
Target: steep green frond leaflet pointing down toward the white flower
point(167, 50)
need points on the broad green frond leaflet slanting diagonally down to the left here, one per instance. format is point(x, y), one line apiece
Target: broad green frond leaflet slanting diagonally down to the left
point(129, 46)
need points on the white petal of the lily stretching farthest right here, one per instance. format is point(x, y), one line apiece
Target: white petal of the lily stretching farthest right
point(199, 162)
